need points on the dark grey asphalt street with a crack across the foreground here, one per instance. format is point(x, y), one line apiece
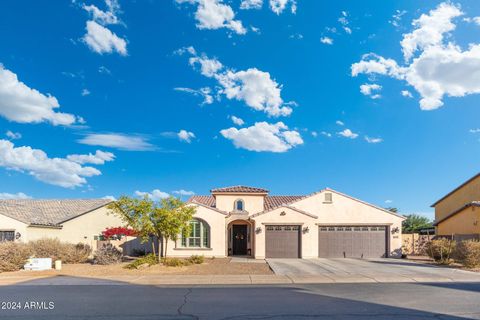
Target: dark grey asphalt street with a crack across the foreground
point(314, 301)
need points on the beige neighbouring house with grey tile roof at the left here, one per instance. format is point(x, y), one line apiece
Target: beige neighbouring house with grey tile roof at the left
point(68, 220)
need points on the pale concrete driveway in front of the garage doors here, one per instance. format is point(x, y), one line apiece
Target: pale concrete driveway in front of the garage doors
point(372, 270)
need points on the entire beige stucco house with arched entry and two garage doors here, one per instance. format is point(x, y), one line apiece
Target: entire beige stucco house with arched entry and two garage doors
point(247, 221)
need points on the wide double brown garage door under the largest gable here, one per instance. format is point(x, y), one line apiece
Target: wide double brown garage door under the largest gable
point(352, 242)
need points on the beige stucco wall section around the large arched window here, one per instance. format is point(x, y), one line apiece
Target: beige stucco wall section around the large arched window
point(216, 221)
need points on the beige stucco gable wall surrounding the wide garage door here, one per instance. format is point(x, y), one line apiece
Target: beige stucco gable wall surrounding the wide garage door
point(345, 210)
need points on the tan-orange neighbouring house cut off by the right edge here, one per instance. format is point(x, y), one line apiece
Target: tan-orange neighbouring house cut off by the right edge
point(457, 214)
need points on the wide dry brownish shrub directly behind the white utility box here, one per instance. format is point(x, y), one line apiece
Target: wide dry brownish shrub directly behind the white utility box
point(57, 250)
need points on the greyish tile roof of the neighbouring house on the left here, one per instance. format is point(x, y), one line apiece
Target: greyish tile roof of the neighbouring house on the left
point(48, 212)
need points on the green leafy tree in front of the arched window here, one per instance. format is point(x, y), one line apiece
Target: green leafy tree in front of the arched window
point(165, 219)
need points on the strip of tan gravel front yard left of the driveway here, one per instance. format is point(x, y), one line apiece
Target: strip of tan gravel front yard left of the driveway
point(218, 266)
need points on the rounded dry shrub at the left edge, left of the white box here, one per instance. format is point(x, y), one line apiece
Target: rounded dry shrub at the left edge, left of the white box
point(13, 255)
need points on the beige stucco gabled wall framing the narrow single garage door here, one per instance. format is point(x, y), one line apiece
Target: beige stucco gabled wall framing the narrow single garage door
point(309, 241)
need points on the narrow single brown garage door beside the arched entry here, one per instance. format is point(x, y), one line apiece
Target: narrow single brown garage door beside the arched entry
point(282, 241)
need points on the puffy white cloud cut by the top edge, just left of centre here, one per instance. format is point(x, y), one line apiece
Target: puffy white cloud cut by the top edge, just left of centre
point(214, 14)
